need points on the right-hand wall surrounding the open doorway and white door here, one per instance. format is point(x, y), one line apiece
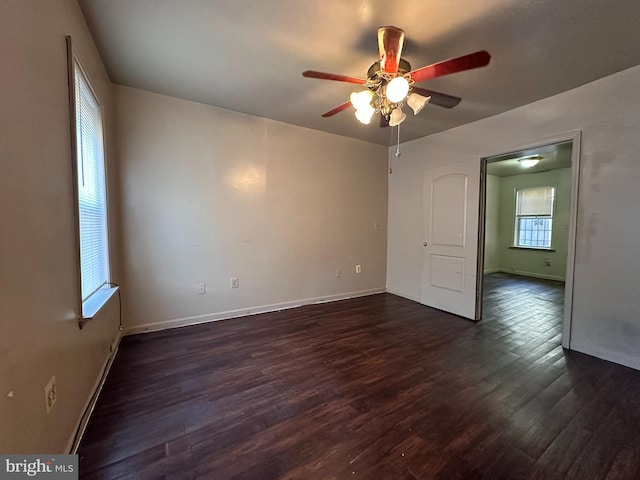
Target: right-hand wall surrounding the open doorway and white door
point(605, 299)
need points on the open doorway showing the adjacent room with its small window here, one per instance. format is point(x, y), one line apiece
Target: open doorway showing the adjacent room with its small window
point(528, 208)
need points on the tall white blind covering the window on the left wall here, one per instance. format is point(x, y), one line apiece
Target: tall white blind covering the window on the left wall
point(94, 255)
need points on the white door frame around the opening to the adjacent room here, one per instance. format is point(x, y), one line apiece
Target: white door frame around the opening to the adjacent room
point(575, 138)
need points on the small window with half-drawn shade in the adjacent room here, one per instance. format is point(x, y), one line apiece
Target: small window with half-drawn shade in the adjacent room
point(534, 217)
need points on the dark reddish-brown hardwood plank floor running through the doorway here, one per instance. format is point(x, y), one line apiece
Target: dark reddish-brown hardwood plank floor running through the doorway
point(378, 387)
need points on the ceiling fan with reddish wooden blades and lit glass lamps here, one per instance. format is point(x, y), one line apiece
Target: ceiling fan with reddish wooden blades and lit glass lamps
point(390, 81)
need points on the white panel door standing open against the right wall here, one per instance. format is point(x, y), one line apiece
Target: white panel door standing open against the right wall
point(450, 229)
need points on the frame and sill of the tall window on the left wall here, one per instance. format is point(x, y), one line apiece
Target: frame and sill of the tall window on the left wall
point(87, 307)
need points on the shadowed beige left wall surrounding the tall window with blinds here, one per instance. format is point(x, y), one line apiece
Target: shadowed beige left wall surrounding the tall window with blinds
point(38, 289)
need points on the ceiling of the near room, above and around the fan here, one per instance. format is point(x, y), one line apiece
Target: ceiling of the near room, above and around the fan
point(248, 55)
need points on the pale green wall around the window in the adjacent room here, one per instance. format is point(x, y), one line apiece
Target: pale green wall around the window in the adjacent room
point(532, 262)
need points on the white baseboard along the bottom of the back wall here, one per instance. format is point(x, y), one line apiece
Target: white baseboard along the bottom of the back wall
point(243, 312)
